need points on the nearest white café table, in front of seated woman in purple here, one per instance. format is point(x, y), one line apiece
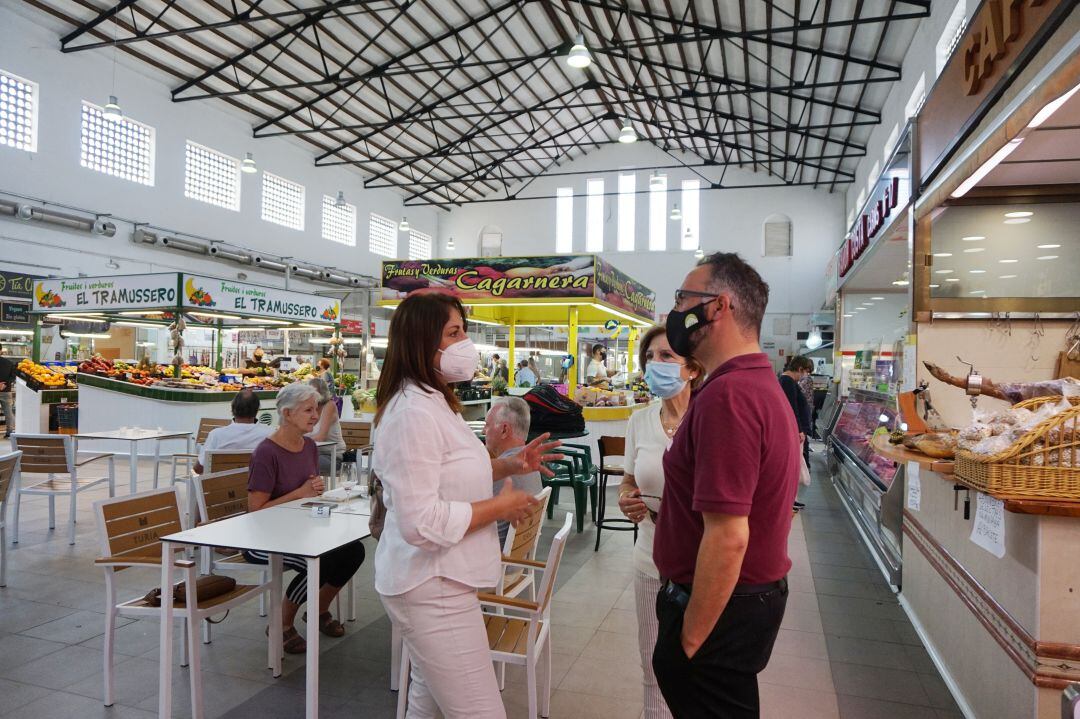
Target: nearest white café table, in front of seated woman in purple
point(276, 531)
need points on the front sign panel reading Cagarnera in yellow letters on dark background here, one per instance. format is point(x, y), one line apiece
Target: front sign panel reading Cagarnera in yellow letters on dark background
point(493, 279)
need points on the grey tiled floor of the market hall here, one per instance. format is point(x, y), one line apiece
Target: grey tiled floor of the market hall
point(846, 649)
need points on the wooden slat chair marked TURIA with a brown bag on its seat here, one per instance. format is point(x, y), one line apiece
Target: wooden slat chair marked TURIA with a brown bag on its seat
point(131, 530)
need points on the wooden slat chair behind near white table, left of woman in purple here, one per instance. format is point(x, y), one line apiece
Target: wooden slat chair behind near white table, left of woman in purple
point(221, 496)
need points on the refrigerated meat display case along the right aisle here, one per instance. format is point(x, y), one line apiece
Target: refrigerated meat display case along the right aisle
point(870, 485)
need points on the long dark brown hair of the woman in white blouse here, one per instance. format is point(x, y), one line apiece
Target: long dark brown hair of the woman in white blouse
point(416, 332)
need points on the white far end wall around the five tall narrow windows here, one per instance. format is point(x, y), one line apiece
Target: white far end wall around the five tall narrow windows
point(732, 221)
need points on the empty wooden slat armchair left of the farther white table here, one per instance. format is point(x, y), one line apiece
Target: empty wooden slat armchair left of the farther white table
point(57, 456)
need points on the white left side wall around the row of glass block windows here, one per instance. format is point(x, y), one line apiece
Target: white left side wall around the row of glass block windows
point(31, 50)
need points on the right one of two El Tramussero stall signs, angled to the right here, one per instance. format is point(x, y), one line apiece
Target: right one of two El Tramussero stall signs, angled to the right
point(217, 295)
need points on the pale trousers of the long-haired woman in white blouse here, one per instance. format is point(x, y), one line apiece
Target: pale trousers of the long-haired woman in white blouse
point(443, 630)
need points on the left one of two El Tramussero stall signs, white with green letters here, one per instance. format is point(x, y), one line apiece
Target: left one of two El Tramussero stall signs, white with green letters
point(130, 292)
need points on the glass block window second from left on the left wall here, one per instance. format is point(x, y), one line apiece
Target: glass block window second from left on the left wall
point(123, 148)
